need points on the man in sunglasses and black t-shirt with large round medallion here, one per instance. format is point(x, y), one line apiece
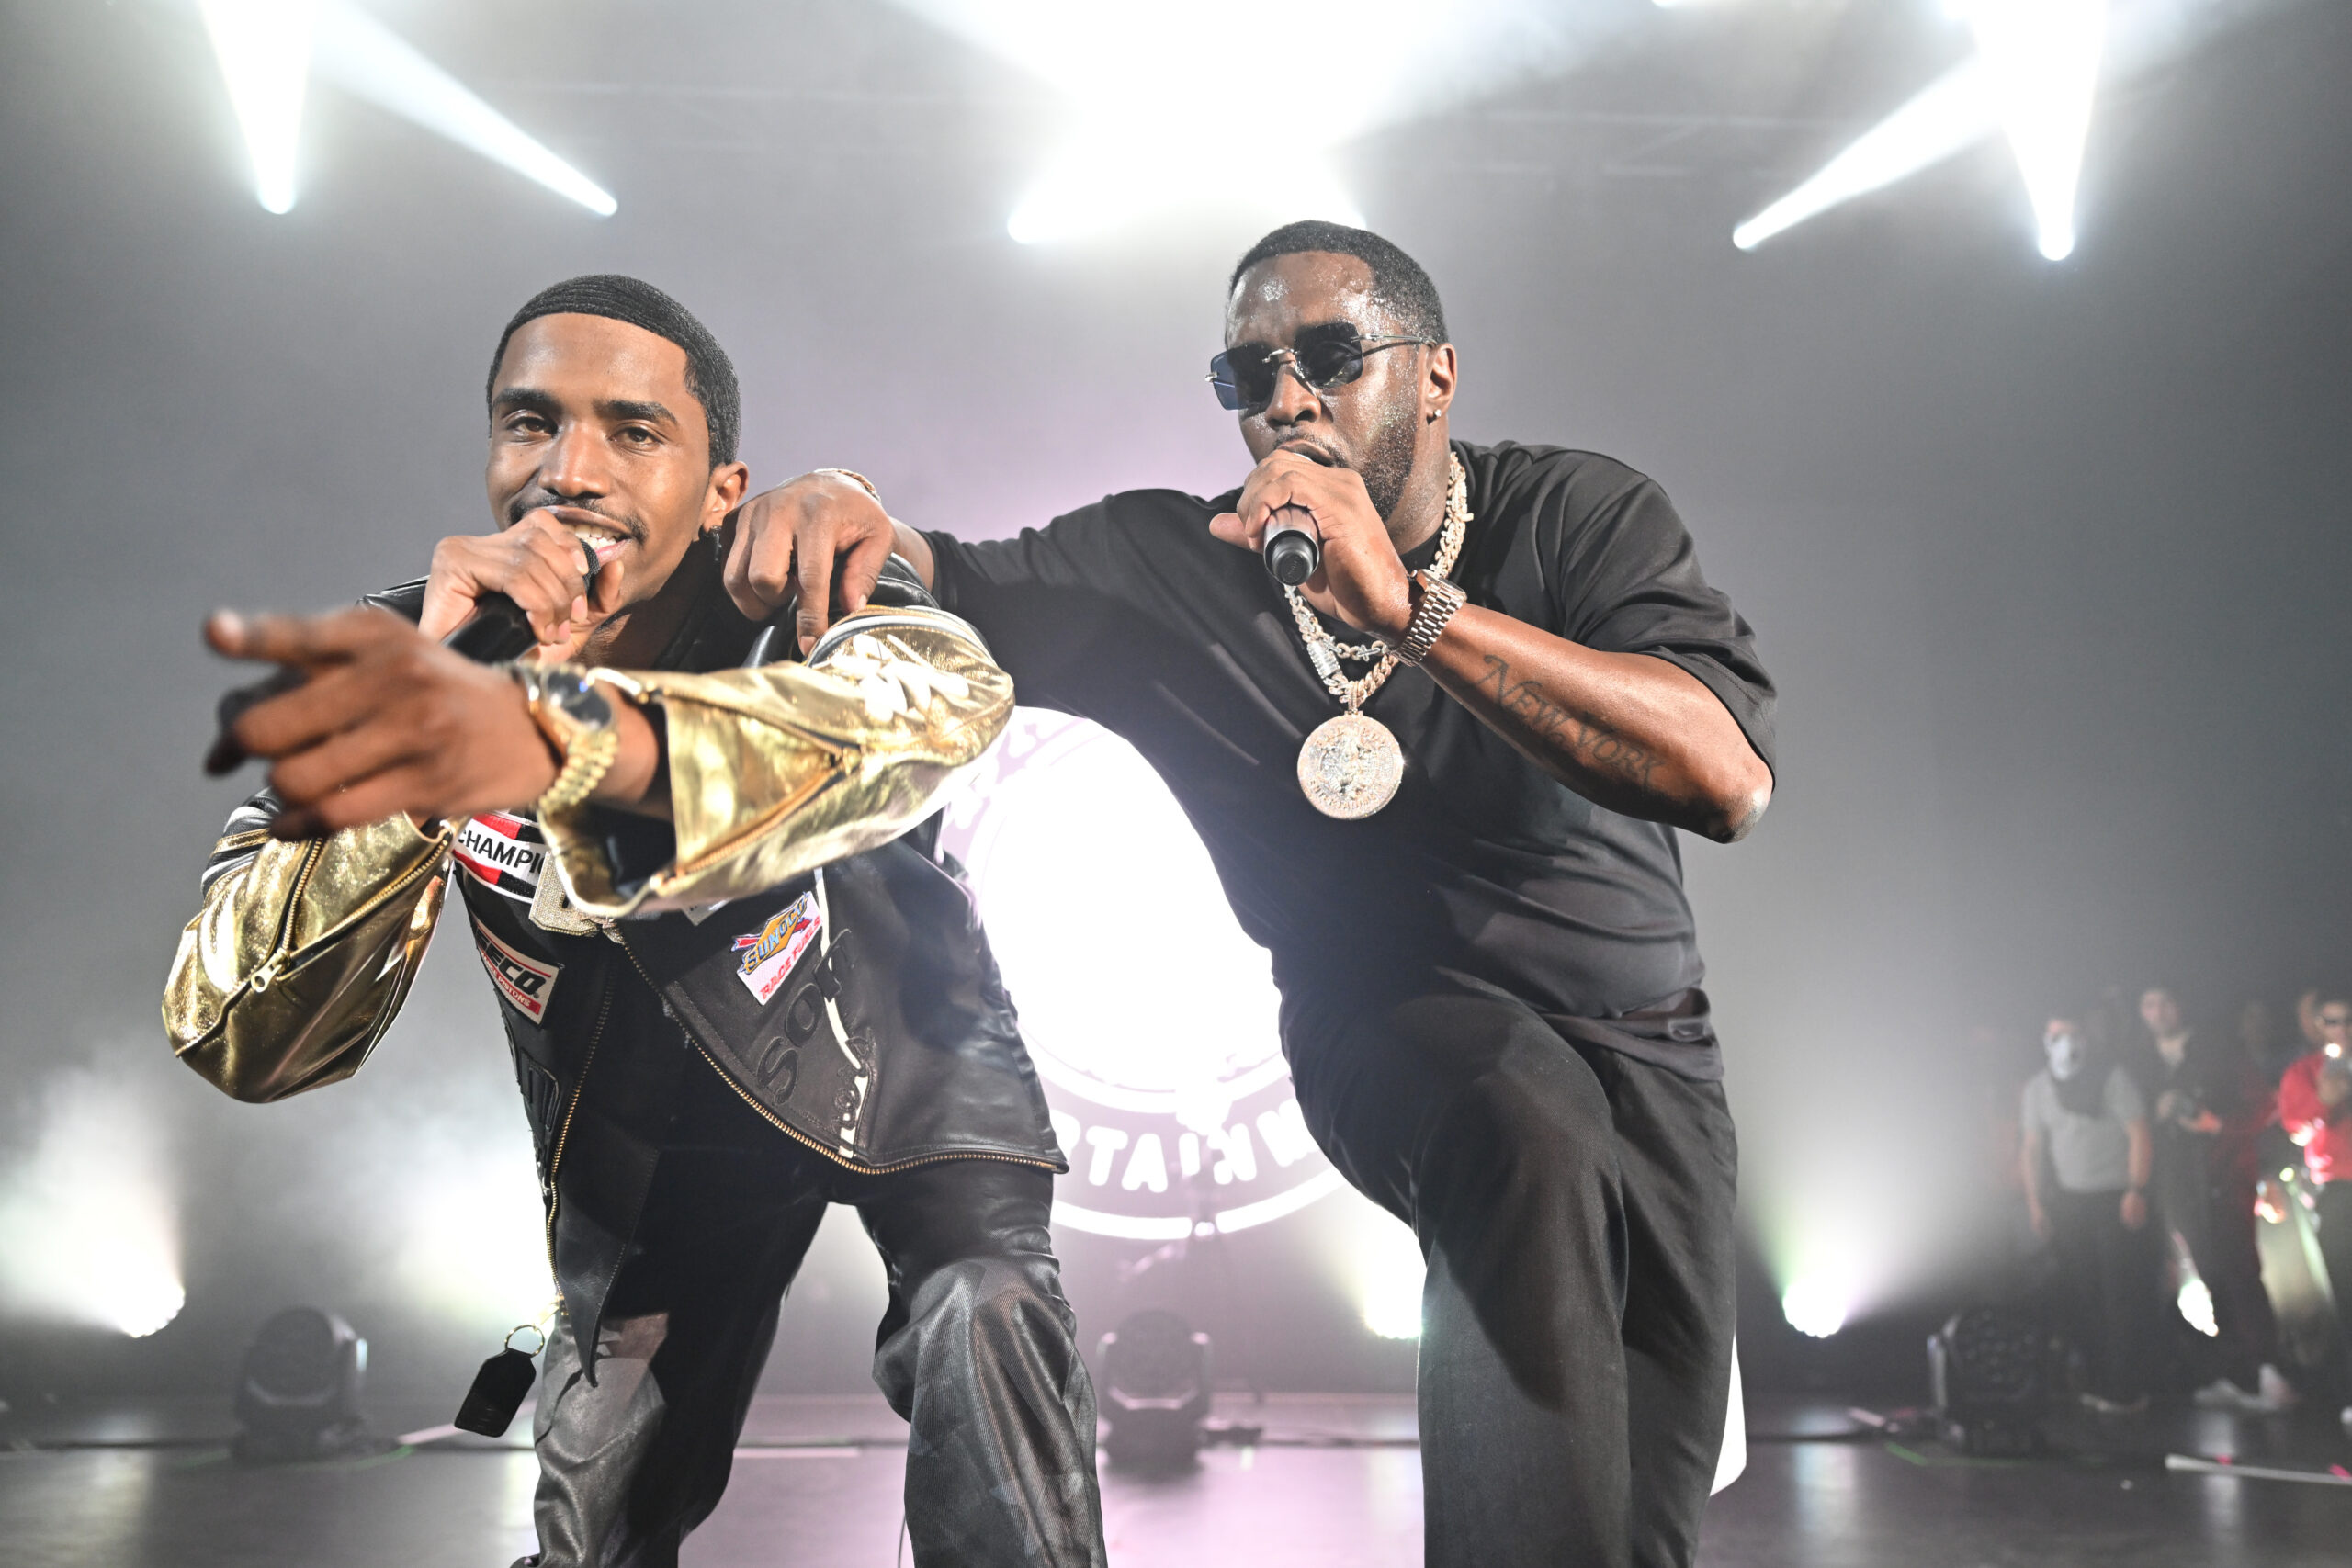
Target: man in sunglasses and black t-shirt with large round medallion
point(1469, 885)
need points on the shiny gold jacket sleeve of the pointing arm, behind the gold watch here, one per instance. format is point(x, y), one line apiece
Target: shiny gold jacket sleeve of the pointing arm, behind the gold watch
point(787, 768)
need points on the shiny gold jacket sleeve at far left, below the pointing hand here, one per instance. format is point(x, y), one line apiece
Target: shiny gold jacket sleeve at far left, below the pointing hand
point(302, 953)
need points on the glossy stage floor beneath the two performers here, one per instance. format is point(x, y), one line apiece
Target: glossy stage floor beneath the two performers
point(1335, 1485)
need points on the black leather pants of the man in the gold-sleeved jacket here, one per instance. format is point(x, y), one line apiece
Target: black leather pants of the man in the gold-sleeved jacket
point(975, 1351)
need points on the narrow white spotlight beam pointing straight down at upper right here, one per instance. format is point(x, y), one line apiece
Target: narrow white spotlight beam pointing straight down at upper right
point(2043, 74)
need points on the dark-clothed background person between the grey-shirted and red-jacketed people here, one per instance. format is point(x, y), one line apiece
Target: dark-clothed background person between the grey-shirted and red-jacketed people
point(2210, 1106)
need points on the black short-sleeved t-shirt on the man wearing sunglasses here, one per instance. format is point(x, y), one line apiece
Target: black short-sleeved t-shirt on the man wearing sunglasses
point(1132, 615)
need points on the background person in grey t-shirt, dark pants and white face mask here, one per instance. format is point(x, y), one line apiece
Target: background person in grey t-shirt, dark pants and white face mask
point(2087, 1120)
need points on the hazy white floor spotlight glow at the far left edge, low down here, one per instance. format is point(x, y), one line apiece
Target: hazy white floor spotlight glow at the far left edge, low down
point(91, 1226)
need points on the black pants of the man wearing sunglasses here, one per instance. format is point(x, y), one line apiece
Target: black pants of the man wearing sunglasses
point(1575, 1209)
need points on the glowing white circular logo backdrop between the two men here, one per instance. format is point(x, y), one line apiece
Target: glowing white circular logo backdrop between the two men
point(1149, 1014)
